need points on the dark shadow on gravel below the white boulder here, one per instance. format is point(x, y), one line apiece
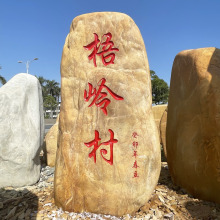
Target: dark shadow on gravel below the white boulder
point(18, 204)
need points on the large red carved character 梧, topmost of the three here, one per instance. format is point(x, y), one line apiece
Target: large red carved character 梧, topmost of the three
point(107, 46)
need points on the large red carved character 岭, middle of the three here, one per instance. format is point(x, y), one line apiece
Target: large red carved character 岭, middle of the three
point(99, 96)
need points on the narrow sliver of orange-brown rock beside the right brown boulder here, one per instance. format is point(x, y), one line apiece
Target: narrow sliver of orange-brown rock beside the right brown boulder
point(163, 125)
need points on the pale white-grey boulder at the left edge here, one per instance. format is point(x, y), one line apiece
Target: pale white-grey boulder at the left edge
point(21, 129)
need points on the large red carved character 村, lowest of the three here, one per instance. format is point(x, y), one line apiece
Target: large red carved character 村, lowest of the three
point(96, 145)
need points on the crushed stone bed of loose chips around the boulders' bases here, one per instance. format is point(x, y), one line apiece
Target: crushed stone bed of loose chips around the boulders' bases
point(167, 202)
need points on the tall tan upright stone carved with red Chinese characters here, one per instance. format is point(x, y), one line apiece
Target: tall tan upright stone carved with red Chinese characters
point(80, 183)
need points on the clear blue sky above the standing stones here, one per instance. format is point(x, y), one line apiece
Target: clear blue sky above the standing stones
point(38, 28)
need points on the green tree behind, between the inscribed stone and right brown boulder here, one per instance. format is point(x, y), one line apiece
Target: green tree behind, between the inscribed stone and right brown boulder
point(160, 89)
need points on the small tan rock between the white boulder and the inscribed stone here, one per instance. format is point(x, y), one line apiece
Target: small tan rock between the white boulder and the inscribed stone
point(51, 144)
